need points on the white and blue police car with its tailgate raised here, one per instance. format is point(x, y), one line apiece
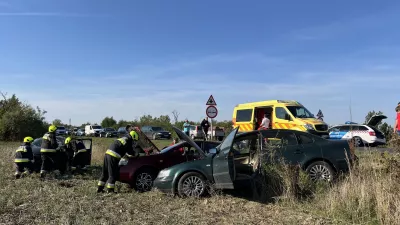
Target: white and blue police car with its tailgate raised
point(362, 134)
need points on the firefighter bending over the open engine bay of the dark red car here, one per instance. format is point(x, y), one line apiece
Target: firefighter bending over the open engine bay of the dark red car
point(119, 148)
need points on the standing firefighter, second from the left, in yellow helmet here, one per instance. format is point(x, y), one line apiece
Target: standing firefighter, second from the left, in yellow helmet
point(48, 151)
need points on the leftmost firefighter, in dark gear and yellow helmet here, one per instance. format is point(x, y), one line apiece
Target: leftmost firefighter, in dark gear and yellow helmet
point(24, 158)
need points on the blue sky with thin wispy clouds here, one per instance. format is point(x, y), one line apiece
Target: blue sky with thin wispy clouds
point(87, 59)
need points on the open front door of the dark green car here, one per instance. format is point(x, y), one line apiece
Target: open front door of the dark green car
point(223, 163)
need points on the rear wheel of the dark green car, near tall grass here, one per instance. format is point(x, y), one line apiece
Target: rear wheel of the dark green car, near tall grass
point(320, 170)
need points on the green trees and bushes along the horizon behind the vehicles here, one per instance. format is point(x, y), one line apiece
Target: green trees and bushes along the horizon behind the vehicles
point(19, 119)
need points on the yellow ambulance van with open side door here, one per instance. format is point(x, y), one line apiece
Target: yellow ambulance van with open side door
point(283, 114)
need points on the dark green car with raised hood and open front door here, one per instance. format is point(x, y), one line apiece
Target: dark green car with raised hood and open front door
point(235, 159)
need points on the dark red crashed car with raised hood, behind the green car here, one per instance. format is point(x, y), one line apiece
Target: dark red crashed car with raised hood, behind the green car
point(140, 172)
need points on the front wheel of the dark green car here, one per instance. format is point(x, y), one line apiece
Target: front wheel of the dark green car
point(191, 184)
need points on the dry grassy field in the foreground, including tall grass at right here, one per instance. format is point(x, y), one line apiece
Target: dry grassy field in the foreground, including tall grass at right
point(370, 195)
